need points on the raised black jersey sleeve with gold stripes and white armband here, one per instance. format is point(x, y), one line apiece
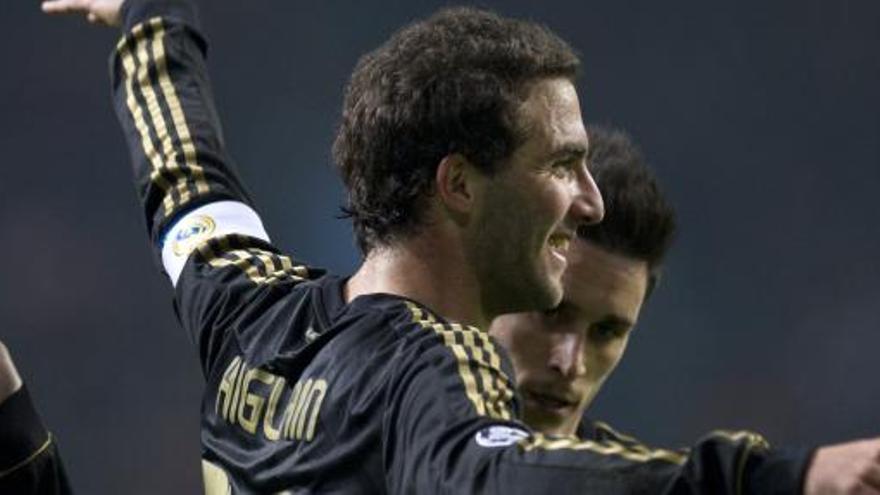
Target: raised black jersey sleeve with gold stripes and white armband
point(201, 222)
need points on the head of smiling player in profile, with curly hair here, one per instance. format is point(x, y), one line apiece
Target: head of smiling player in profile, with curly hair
point(471, 119)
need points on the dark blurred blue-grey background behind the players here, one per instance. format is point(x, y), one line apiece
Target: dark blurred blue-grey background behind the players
point(761, 118)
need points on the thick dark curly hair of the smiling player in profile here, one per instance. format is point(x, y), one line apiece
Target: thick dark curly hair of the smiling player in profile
point(448, 84)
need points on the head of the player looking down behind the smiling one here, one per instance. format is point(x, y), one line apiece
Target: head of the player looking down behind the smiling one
point(564, 355)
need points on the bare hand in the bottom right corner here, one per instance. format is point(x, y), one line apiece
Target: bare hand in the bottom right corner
point(850, 468)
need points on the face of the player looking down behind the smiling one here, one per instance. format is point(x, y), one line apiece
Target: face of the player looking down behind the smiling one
point(562, 357)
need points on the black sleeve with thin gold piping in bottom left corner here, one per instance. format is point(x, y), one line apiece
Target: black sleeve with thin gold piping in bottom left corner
point(30, 463)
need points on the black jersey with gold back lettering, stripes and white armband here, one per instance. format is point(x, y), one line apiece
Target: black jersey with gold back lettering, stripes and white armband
point(308, 393)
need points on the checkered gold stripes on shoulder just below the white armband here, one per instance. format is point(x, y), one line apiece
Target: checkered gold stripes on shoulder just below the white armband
point(260, 266)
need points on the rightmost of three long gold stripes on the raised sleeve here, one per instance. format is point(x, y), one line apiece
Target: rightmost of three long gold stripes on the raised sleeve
point(175, 107)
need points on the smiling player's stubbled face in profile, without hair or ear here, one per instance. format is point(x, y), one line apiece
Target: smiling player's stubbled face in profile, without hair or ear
point(529, 210)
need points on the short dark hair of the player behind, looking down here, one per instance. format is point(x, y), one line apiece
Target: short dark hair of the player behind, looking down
point(639, 222)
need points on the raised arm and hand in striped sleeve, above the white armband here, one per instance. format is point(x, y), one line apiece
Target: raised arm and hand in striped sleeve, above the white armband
point(164, 101)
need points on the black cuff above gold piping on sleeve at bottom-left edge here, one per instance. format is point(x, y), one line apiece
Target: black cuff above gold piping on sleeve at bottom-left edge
point(22, 433)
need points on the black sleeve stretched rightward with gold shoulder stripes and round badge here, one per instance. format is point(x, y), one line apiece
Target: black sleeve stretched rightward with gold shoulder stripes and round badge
point(452, 429)
